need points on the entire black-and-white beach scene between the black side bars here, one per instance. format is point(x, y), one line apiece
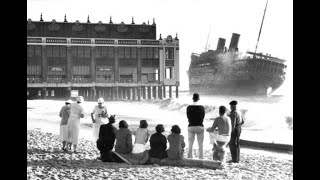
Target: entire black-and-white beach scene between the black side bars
point(160, 89)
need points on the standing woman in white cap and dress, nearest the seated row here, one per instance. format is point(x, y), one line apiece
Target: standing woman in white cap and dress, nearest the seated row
point(99, 113)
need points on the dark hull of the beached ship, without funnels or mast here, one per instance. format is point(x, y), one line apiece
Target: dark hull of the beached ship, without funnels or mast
point(258, 77)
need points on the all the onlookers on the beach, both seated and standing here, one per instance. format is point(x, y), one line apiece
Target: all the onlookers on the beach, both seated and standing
point(108, 137)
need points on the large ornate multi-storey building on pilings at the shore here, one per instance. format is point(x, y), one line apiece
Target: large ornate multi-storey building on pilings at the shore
point(114, 61)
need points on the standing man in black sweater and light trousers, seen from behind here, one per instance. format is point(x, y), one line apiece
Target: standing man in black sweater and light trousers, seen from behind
point(195, 114)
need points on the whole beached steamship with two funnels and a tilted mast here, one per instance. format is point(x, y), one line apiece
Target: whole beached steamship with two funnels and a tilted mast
point(228, 72)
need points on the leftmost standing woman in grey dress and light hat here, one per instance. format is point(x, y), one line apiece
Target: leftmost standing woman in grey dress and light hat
point(64, 114)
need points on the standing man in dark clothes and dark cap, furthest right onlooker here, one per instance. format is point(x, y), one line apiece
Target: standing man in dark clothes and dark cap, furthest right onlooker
point(236, 123)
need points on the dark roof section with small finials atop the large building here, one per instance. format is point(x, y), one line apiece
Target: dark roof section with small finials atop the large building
point(91, 30)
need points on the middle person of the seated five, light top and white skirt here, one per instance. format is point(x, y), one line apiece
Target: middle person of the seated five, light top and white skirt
point(142, 135)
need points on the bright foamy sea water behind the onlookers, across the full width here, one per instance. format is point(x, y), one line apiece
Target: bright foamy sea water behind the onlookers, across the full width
point(267, 118)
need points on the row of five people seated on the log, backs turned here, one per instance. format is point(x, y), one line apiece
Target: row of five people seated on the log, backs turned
point(121, 140)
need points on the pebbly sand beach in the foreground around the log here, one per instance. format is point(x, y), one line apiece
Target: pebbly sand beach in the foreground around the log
point(46, 160)
